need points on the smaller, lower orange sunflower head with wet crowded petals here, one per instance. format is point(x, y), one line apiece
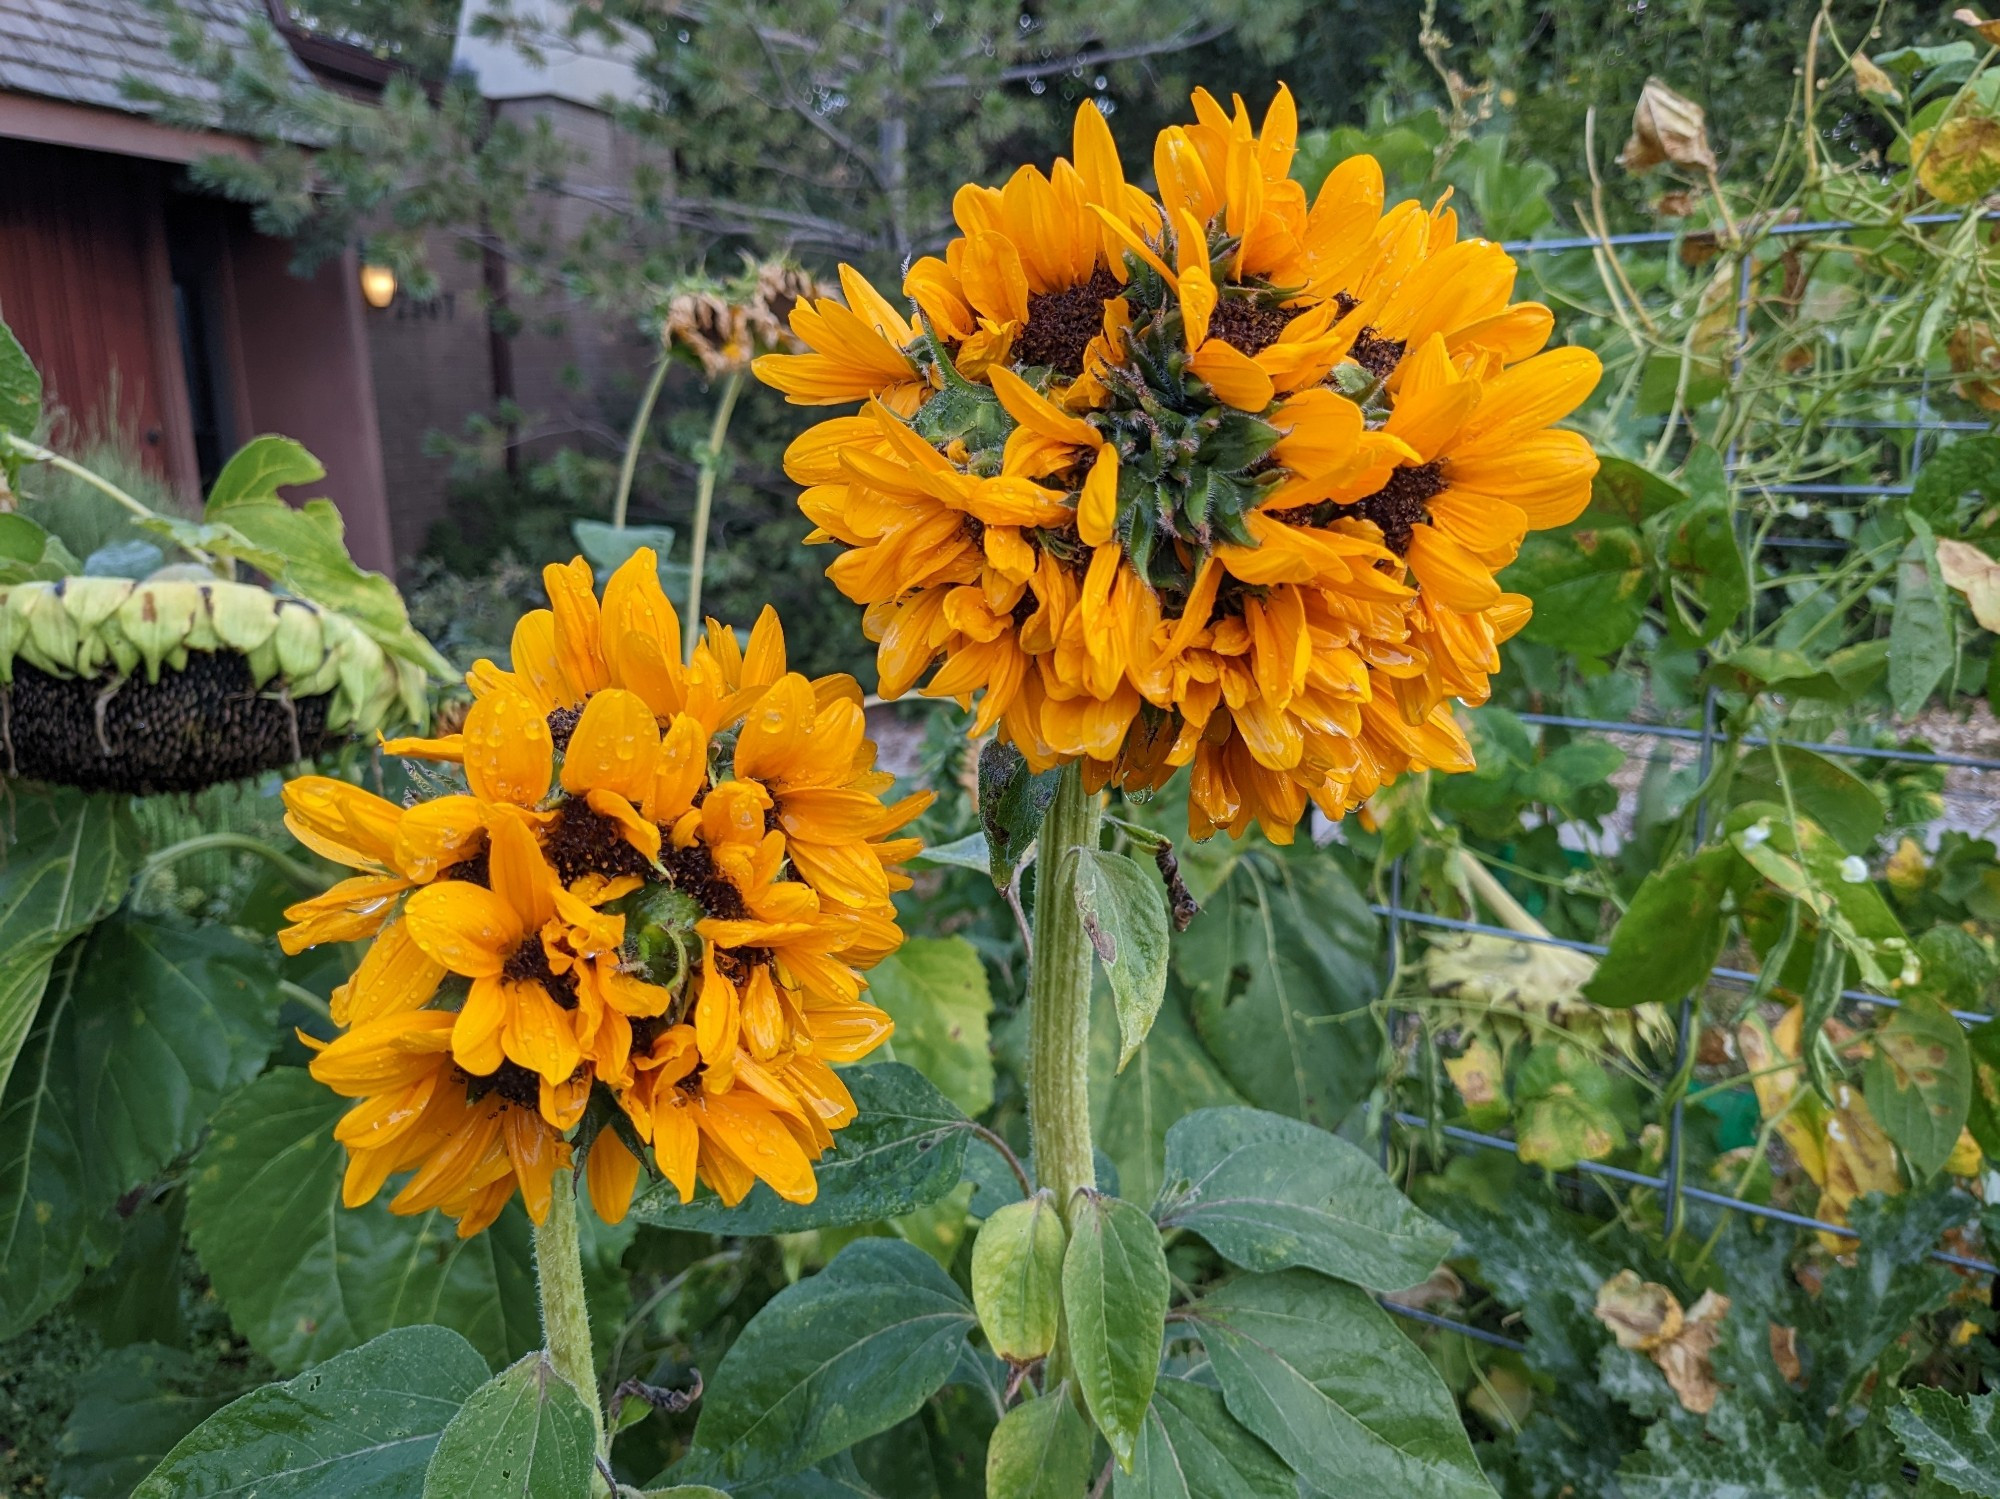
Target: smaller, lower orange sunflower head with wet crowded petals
point(663, 880)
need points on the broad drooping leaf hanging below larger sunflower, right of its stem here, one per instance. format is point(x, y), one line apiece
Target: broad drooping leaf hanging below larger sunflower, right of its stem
point(1283, 970)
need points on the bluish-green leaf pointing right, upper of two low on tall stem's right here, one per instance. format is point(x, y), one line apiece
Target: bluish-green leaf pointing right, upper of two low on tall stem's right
point(1271, 1192)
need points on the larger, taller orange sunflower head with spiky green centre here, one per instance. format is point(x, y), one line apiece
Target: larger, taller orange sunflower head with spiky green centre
point(1221, 483)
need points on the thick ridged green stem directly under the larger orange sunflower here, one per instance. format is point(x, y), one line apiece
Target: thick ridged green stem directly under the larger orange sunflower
point(1059, 998)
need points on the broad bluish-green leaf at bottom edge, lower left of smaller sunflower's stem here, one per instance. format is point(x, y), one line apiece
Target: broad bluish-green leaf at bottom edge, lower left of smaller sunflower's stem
point(363, 1424)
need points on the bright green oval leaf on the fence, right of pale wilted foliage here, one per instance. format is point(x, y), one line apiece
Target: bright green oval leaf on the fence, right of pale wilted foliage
point(1671, 932)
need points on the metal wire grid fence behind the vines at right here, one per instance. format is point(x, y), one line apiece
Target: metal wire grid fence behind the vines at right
point(1709, 741)
